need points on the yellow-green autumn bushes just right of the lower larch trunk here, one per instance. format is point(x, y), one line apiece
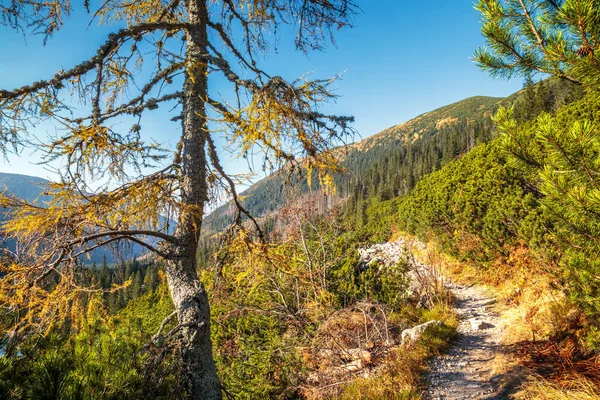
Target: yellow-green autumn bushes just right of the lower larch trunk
point(281, 278)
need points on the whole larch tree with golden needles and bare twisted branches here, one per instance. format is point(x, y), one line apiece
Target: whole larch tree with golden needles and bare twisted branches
point(177, 47)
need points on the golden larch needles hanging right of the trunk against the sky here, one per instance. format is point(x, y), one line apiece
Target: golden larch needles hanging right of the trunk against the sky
point(280, 120)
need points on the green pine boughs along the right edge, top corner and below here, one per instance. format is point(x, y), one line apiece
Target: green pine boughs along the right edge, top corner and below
point(560, 38)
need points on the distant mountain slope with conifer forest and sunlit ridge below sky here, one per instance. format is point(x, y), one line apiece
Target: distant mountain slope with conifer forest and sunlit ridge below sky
point(393, 161)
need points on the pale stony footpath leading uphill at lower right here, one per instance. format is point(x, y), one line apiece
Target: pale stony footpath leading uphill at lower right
point(466, 372)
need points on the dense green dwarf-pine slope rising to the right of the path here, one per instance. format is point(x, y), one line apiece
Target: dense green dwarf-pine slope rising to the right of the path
point(490, 201)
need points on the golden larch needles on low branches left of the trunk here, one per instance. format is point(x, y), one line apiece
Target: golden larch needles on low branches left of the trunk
point(70, 224)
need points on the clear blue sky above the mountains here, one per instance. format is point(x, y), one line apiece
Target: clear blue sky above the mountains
point(402, 58)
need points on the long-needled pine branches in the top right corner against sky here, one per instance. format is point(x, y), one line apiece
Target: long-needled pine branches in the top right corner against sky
point(555, 37)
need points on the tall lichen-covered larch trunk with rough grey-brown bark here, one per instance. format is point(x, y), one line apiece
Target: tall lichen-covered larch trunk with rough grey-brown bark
point(188, 294)
